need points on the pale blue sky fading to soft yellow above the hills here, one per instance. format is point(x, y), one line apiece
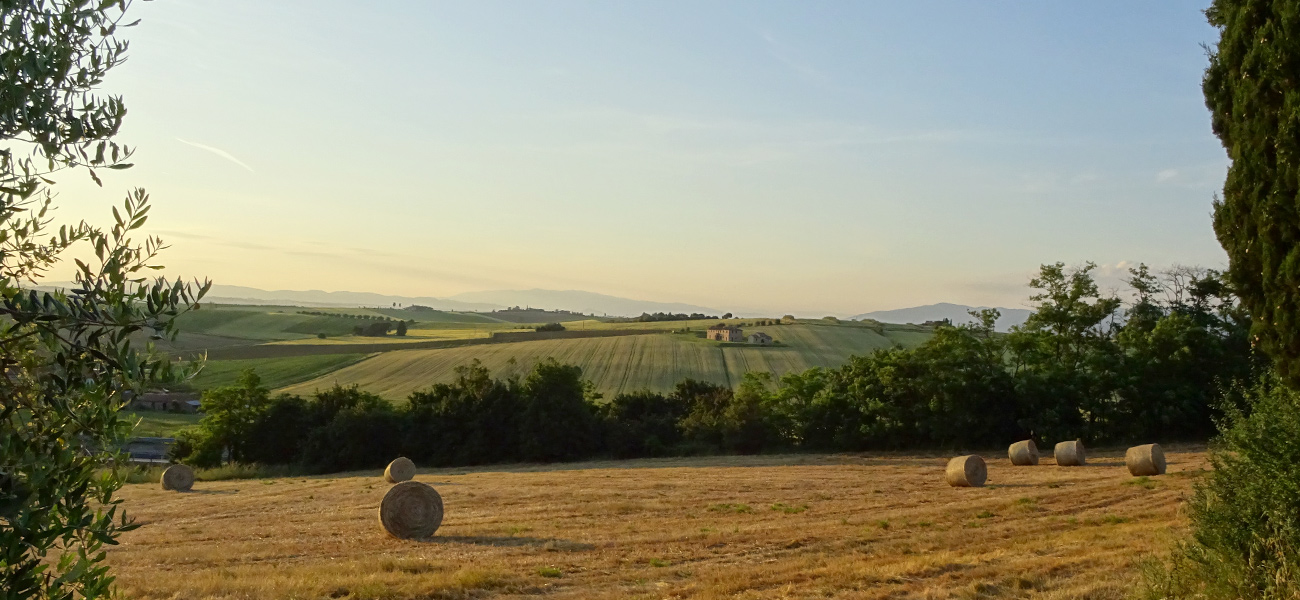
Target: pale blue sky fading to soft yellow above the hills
point(827, 158)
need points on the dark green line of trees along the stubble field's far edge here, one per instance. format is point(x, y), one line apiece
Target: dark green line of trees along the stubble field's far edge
point(1086, 367)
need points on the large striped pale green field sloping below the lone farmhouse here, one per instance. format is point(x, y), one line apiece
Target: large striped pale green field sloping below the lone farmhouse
point(623, 364)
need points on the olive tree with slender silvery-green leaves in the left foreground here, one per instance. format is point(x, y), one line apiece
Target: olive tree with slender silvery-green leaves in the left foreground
point(70, 358)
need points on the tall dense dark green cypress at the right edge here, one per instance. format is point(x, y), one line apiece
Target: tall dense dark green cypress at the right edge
point(1254, 95)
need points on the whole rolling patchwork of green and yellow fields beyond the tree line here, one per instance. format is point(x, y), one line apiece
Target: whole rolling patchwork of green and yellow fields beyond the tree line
point(249, 337)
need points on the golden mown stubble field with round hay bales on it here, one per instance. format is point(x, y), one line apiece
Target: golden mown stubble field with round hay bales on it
point(775, 527)
